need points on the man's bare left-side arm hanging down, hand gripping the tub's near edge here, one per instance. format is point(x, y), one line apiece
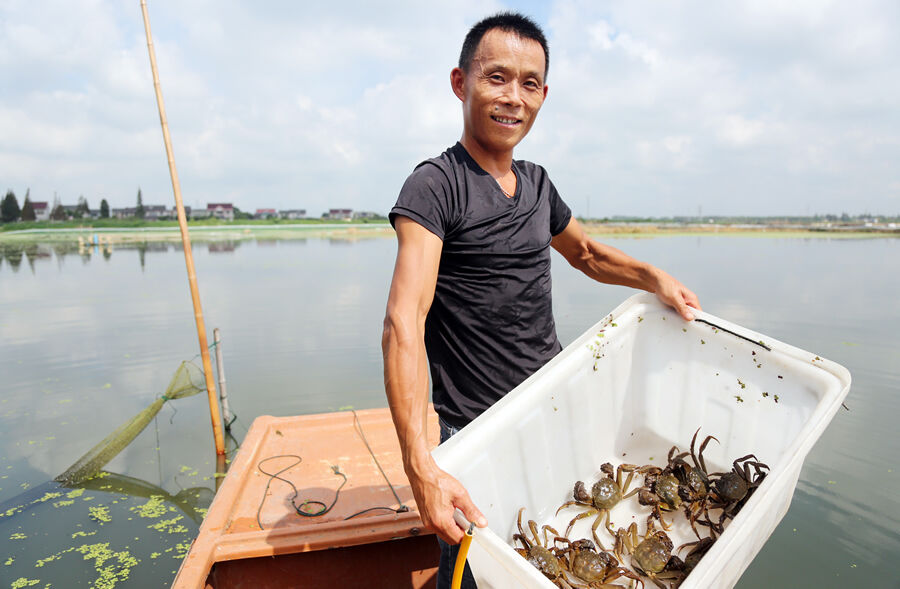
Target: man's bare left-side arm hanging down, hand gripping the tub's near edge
point(406, 379)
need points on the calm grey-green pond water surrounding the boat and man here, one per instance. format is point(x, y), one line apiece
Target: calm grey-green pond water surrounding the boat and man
point(89, 338)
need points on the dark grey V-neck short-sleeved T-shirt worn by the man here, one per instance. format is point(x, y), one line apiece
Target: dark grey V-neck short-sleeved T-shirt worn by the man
point(491, 322)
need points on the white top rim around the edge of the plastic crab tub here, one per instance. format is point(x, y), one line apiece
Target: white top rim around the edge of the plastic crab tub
point(776, 490)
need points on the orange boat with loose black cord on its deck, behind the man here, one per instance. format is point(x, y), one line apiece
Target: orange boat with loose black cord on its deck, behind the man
point(253, 518)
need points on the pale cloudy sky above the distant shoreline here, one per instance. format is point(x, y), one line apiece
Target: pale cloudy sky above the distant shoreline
point(681, 108)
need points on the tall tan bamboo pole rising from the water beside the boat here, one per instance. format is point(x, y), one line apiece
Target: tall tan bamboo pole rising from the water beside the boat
point(186, 241)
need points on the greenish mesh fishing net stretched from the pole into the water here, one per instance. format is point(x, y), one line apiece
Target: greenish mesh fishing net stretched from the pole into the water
point(187, 381)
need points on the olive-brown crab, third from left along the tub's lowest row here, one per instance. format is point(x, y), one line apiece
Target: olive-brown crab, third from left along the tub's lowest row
point(651, 555)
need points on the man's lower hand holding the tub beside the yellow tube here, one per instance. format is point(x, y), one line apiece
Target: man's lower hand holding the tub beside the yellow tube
point(437, 496)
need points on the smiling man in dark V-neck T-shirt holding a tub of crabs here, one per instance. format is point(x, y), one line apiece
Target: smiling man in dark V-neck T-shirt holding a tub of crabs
point(471, 284)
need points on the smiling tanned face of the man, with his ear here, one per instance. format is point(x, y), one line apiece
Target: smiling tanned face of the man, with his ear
point(503, 90)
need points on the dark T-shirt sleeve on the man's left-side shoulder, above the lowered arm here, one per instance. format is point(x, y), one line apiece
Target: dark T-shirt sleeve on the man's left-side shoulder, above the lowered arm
point(426, 199)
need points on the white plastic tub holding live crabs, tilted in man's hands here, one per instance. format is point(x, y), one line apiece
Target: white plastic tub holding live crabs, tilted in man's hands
point(631, 387)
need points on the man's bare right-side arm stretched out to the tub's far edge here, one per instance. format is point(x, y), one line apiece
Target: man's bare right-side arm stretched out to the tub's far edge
point(612, 266)
